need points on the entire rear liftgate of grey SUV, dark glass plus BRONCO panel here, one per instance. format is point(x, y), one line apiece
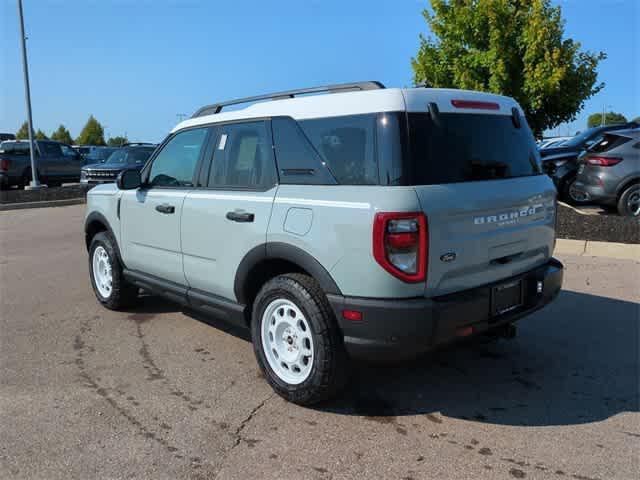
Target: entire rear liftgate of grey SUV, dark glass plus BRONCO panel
point(489, 208)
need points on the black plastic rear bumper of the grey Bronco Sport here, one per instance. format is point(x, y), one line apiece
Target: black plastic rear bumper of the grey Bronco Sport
point(392, 329)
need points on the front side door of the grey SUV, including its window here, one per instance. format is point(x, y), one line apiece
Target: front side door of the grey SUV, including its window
point(150, 215)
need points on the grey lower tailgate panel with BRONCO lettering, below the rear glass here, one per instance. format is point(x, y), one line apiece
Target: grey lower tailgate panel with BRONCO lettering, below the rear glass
point(482, 232)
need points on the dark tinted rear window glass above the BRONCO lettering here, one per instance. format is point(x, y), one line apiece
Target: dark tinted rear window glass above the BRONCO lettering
point(468, 147)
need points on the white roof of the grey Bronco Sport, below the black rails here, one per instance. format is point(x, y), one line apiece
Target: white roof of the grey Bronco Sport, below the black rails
point(359, 102)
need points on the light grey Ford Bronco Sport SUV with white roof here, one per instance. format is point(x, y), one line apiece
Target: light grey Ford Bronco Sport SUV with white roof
point(346, 221)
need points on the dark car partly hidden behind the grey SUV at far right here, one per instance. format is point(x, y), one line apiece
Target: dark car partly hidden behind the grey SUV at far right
point(561, 162)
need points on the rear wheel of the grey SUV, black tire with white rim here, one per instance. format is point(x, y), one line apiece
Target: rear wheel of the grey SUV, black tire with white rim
point(295, 308)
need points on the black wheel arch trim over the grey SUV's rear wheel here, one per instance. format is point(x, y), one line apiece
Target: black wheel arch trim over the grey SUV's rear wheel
point(281, 251)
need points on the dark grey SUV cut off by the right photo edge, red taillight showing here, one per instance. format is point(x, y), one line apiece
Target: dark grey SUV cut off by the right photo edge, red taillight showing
point(609, 174)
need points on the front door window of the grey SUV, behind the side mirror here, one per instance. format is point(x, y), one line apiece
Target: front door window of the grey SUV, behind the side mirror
point(174, 166)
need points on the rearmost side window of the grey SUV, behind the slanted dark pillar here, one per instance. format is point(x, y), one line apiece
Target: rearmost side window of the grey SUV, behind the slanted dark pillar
point(347, 145)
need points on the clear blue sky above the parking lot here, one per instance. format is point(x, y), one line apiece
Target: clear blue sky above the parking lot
point(137, 65)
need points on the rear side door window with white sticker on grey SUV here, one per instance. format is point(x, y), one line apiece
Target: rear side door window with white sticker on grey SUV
point(242, 157)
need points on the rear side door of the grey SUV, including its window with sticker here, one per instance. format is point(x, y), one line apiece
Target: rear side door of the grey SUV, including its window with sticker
point(228, 216)
